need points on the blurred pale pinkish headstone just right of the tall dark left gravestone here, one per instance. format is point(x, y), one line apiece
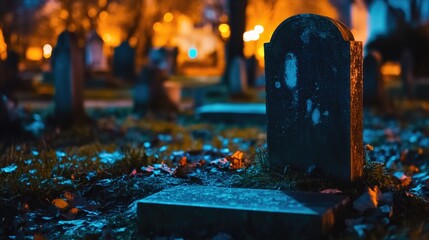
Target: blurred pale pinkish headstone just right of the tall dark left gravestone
point(95, 60)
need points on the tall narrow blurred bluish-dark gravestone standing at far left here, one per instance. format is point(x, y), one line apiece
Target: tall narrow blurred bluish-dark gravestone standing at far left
point(68, 69)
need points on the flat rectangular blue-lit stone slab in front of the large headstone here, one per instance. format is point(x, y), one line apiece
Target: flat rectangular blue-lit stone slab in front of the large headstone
point(261, 214)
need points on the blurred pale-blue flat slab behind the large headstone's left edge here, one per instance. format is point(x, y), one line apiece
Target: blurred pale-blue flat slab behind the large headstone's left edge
point(233, 113)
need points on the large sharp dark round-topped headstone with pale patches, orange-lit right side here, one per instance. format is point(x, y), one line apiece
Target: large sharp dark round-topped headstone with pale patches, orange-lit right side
point(314, 97)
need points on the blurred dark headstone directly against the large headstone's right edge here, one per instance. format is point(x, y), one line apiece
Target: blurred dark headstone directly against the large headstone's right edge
point(372, 80)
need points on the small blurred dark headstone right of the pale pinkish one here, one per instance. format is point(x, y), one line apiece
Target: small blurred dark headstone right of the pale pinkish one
point(124, 62)
